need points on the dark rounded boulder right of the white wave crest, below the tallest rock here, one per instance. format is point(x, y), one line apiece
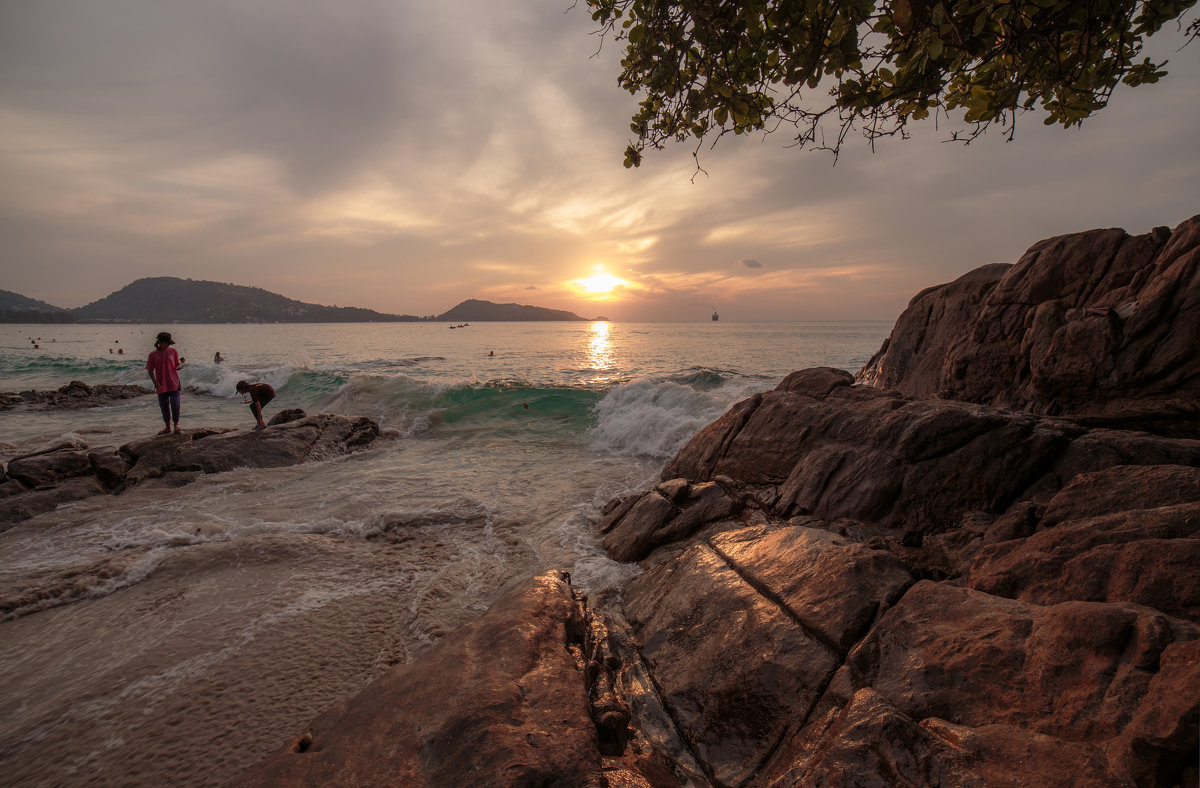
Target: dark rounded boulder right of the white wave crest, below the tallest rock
point(873, 456)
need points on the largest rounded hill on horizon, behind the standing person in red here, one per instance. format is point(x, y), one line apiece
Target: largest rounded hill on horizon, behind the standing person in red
point(167, 299)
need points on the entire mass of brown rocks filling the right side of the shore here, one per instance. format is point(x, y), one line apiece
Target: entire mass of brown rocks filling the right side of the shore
point(974, 566)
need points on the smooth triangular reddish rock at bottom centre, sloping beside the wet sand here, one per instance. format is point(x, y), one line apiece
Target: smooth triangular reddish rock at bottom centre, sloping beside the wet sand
point(500, 702)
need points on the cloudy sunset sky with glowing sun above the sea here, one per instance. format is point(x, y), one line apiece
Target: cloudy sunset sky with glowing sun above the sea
point(404, 157)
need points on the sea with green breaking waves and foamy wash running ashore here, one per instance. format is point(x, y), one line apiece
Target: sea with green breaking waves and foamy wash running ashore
point(181, 635)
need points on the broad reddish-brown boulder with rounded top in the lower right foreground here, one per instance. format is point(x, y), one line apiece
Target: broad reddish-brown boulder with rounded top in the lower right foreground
point(1076, 671)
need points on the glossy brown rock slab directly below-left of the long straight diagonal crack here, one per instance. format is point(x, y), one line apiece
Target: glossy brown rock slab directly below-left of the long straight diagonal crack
point(733, 667)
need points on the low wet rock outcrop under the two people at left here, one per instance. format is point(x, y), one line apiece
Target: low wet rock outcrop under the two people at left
point(41, 482)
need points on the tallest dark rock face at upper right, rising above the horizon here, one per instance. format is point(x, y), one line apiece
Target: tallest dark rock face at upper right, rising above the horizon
point(1099, 326)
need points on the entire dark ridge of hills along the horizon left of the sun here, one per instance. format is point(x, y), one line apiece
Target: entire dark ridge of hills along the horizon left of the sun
point(166, 299)
